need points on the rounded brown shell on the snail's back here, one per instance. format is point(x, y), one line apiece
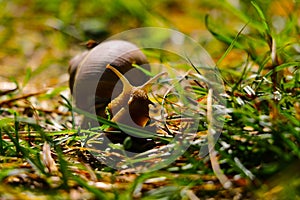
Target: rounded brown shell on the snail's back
point(92, 85)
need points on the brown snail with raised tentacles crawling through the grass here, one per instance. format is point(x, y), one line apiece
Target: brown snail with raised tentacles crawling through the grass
point(94, 77)
